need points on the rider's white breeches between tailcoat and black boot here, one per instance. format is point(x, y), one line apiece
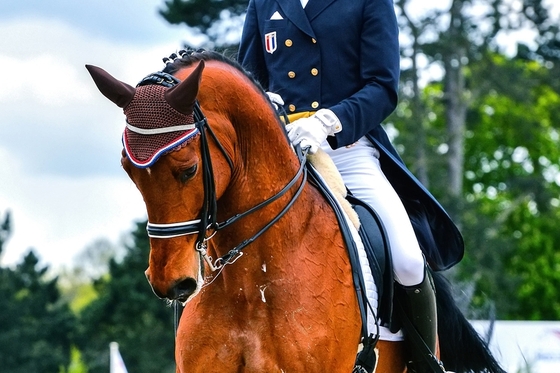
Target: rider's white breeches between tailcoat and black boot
point(361, 172)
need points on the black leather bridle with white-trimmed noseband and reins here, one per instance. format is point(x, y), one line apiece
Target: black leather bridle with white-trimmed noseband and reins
point(207, 222)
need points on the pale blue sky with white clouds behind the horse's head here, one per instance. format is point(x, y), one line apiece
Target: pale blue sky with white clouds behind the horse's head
point(60, 139)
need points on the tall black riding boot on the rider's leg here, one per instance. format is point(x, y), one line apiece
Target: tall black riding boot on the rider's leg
point(418, 304)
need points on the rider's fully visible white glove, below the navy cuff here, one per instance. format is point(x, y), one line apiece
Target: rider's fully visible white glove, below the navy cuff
point(311, 132)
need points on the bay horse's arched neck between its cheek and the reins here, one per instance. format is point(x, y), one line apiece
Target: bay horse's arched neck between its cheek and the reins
point(264, 162)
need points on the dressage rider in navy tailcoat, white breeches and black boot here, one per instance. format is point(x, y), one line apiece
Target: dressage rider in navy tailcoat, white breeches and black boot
point(335, 64)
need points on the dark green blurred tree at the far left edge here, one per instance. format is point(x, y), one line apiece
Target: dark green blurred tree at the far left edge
point(36, 326)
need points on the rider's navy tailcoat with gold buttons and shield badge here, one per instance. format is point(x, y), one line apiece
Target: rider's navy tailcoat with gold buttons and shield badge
point(344, 55)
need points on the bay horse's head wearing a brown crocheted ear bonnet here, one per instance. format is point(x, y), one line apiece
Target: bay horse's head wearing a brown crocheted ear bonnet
point(165, 151)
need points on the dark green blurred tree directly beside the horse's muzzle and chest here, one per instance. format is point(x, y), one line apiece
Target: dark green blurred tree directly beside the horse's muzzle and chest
point(126, 311)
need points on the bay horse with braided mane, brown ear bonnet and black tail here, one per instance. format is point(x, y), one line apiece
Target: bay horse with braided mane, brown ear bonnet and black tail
point(238, 236)
